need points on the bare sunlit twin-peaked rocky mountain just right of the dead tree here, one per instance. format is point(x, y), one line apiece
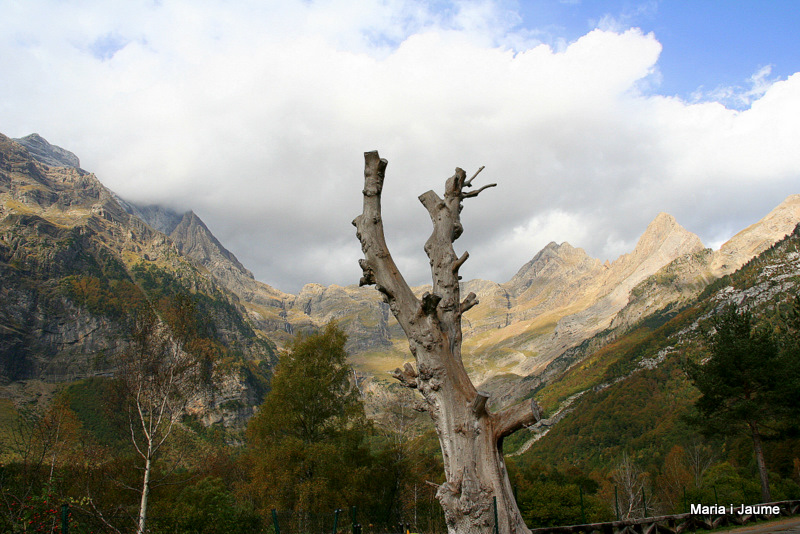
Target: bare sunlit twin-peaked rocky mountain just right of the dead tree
point(562, 297)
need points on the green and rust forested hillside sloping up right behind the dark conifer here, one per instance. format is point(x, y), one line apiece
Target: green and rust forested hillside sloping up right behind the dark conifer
point(635, 406)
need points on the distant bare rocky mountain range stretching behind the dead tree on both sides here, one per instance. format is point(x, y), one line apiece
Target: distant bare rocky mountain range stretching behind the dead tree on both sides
point(533, 326)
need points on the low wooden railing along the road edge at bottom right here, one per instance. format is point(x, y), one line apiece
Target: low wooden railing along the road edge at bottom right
point(673, 524)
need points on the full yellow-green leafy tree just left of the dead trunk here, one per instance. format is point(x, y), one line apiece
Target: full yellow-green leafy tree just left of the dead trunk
point(306, 443)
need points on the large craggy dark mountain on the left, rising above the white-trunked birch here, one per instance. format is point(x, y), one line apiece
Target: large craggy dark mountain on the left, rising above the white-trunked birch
point(73, 261)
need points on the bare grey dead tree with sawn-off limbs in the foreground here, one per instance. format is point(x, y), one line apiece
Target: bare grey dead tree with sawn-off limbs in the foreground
point(470, 436)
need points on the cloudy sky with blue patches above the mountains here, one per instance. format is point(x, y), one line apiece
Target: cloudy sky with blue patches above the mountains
point(592, 117)
